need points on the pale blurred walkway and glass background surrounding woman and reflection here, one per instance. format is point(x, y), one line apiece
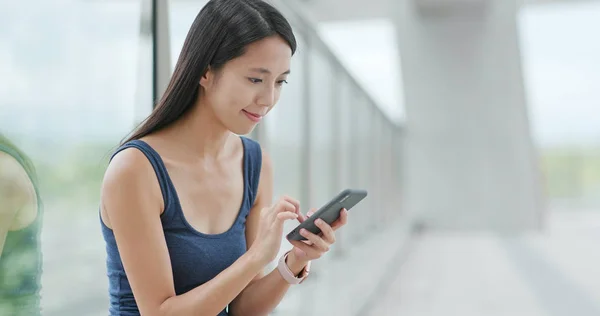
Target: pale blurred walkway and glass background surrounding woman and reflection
point(474, 124)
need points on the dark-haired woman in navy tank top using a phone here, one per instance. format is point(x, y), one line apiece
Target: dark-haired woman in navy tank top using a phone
point(186, 203)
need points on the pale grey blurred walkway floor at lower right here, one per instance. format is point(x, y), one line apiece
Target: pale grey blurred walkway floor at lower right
point(555, 273)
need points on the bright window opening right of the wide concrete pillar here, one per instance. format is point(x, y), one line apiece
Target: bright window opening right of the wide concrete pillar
point(561, 72)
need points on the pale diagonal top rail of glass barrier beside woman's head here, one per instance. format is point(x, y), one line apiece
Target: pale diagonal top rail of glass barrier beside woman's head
point(299, 16)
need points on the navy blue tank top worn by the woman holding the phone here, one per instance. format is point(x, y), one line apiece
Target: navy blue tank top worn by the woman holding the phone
point(195, 257)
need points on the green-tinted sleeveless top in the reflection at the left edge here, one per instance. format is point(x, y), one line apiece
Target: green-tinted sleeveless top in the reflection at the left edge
point(21, 259)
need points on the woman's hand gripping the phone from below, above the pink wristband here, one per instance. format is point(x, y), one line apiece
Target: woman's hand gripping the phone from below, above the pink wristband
point(316, 245)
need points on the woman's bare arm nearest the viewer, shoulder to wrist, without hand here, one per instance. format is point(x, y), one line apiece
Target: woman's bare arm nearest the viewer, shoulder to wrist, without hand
point(132, 203)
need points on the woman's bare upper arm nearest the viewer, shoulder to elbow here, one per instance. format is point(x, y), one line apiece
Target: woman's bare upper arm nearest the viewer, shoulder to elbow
point(131, 207)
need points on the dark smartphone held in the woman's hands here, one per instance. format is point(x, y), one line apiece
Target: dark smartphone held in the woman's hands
point(330, 212)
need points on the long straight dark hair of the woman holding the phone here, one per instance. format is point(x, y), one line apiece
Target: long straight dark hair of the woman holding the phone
point(220, 33)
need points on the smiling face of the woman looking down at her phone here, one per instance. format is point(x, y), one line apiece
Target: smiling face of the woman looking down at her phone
point(247, 87)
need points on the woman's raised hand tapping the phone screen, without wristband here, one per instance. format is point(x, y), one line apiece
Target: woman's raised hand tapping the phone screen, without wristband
point(270, 228)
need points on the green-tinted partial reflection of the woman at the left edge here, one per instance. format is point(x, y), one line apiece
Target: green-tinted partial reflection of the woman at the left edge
point(20, 227)
